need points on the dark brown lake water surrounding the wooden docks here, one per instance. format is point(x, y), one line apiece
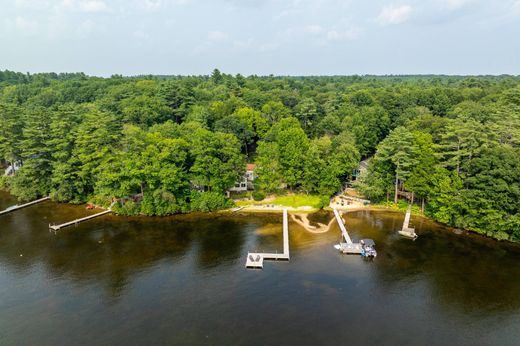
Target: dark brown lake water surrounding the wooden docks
point(181, 280)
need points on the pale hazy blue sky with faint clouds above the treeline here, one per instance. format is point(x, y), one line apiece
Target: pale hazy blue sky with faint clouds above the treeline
point(282, 37)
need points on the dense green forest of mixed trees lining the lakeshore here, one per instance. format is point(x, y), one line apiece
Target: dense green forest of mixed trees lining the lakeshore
point(181, 142)
